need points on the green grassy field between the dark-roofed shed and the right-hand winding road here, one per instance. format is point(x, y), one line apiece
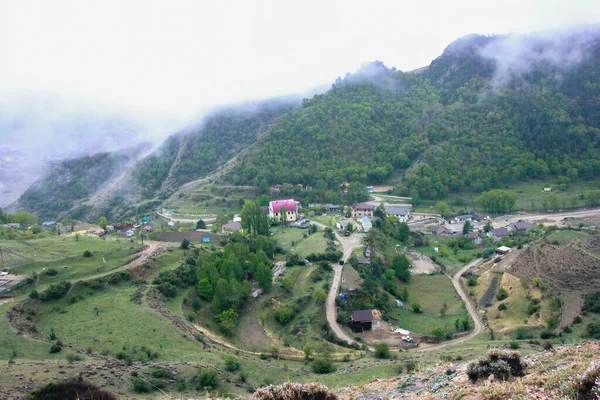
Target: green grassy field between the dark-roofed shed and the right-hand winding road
point(431, 292)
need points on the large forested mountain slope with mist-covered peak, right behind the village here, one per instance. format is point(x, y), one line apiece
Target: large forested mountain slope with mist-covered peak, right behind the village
point(488, 111)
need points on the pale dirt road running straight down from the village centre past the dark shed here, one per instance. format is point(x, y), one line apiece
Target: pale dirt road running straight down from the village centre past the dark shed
point(349, 244)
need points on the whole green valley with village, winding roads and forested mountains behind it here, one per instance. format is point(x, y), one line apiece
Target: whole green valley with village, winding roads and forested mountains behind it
point(400, 235)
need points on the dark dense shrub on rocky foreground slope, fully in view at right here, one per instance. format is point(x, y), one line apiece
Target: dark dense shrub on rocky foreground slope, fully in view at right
point(503, 364)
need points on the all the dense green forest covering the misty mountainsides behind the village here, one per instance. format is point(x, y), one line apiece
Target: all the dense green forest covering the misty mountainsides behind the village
point(480, 116)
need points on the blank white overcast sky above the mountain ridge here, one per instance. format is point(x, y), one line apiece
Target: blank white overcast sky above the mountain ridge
point(171, 59)
